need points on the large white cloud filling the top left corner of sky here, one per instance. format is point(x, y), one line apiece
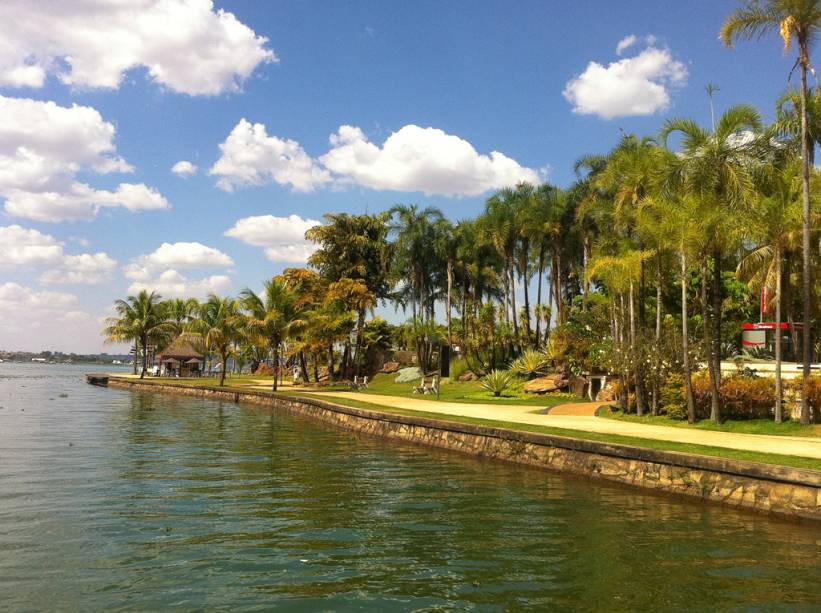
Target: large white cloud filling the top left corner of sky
point(185, 45)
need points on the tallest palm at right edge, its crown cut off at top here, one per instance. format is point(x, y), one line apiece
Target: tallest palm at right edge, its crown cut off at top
point(799, 21)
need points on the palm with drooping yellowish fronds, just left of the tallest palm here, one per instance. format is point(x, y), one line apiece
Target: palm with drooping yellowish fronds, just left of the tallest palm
point(776, 222)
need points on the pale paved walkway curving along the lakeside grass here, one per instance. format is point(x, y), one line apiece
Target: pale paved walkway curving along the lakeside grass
point(784, 445)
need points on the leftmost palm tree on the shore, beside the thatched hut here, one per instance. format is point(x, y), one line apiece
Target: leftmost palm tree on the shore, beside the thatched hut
point(141, 318)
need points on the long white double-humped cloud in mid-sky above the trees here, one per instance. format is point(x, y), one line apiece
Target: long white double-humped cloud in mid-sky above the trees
point(412, 159)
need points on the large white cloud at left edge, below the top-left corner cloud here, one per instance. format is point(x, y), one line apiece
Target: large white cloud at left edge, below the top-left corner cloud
point(43, 146)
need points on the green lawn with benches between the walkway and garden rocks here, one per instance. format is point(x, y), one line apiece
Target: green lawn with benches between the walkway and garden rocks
point(467, 392)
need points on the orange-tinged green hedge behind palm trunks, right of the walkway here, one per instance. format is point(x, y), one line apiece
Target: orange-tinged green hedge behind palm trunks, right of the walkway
point(742, 397)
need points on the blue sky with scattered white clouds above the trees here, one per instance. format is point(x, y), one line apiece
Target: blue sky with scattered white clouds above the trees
point(489, 73)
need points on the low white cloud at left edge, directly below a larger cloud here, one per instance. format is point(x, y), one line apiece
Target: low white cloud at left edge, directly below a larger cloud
point(21, 247)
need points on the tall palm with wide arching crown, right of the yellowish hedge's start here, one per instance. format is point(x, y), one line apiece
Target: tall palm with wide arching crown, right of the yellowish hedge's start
point(717, 168)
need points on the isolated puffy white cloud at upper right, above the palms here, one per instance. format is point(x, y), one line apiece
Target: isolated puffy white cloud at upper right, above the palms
point(638, 85)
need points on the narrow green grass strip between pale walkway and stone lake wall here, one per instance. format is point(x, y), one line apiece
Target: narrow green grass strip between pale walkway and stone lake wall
point(719, 452)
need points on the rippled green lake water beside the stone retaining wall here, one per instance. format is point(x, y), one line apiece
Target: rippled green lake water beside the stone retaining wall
point(115, 500)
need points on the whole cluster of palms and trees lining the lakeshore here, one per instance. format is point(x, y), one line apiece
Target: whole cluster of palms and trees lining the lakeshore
point(636, 267)
